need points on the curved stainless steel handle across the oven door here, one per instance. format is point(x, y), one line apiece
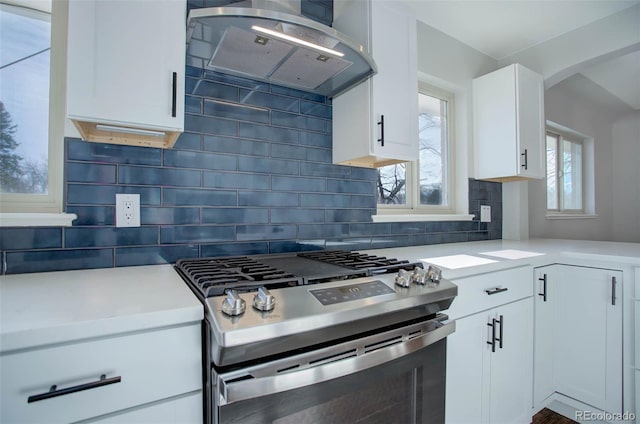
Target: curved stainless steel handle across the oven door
point(244, 389)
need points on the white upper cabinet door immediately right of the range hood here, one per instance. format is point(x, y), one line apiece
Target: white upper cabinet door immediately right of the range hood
point(395, 86)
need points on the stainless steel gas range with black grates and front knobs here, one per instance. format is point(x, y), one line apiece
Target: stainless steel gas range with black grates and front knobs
point(322, 337)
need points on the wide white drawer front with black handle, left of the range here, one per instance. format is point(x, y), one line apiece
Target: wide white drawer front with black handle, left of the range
point(151, 365)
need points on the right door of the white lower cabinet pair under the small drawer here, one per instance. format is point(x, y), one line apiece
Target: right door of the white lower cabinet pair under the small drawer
point(511, 376)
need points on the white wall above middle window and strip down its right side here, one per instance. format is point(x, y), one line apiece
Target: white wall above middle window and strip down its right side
point(451, 65)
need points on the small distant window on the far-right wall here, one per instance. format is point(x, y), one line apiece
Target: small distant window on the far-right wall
point(565, 182)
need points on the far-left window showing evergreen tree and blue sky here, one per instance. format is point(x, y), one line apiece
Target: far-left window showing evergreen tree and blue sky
point(32, 98)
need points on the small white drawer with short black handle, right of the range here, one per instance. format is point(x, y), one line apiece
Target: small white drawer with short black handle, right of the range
point(486, 291)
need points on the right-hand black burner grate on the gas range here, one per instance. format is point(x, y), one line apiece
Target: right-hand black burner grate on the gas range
point(354, 260)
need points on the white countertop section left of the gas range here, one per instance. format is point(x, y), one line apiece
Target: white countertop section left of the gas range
point(56, 307)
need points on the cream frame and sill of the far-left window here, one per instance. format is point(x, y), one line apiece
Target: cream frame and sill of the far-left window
point(46, 209)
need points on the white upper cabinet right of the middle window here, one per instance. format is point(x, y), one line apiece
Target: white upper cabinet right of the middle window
point(508, 124)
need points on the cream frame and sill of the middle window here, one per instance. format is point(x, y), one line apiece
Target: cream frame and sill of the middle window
point(413, 207)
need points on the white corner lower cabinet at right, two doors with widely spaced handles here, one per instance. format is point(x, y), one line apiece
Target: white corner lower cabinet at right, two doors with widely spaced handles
point(578, 335)
